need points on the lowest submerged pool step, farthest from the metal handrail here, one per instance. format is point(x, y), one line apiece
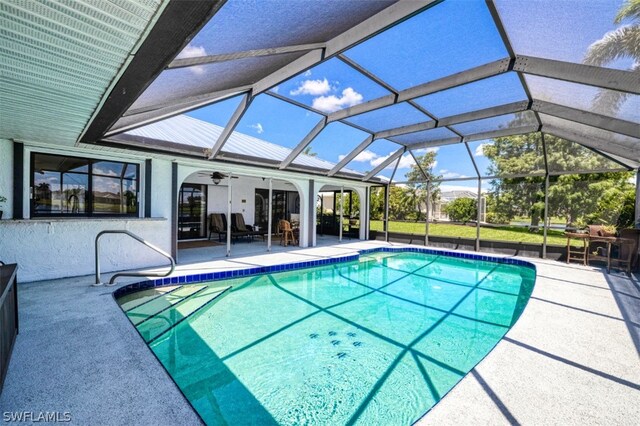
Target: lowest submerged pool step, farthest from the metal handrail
point(157, 325)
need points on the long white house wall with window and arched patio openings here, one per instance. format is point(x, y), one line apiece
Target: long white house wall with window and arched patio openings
point(49, 248)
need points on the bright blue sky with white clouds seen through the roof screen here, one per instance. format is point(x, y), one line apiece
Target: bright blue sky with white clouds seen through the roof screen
point(450, 37)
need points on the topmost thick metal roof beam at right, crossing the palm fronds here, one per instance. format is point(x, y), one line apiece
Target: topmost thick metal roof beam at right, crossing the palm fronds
point(608, 78)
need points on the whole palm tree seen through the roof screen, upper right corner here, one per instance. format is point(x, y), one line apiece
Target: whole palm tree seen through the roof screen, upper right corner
point(623, 42)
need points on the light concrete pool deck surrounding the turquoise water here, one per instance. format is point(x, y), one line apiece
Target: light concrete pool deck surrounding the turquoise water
point(572, 358)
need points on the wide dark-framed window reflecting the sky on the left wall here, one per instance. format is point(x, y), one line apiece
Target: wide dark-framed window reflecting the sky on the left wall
point(72, 186)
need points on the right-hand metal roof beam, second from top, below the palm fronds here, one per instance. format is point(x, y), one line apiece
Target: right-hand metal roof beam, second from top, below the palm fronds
point(588, 118)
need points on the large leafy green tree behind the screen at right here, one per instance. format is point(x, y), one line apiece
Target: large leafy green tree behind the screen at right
point(578, 199)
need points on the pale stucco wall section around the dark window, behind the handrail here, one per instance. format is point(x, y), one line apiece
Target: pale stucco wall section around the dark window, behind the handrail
point(62, 247)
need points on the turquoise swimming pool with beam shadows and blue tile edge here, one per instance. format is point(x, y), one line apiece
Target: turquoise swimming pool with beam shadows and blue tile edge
point(380, 339)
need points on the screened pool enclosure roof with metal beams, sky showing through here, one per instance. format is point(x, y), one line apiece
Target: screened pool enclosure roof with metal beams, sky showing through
point(385, 79)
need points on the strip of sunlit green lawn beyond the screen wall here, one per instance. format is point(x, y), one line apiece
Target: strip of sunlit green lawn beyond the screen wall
point(504, 233)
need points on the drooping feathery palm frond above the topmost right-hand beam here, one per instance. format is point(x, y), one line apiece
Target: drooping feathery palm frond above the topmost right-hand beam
point(623, 42)
